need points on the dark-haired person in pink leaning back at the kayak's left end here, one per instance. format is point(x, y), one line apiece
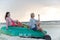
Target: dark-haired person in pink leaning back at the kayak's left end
point(10, 21)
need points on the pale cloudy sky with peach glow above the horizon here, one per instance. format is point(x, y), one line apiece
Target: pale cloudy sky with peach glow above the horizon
point(21, 9)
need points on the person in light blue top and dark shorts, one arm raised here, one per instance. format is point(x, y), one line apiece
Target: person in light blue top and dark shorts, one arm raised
point(35, 24)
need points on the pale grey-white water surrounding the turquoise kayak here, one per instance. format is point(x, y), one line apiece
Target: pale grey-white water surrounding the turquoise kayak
point(52, 28)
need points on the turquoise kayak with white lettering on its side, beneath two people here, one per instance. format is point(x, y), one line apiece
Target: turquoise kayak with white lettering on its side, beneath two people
point(19, 31)
